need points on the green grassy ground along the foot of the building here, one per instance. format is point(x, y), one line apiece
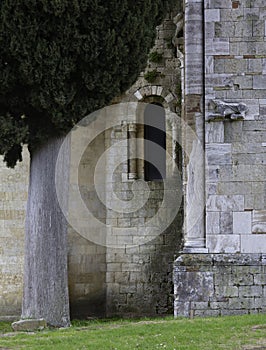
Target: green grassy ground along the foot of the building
point(242, 332)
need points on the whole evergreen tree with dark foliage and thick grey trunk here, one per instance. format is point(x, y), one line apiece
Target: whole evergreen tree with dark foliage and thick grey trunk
point(59, 61)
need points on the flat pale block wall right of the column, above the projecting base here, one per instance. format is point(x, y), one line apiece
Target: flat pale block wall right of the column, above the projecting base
point(235, 61)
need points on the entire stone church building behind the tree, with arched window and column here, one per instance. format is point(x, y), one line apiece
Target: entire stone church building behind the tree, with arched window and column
point(189, 239)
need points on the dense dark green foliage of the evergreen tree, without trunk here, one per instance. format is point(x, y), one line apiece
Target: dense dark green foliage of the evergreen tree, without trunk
point(62, 59)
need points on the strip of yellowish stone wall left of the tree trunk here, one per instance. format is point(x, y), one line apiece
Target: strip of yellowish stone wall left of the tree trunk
point(13, 198)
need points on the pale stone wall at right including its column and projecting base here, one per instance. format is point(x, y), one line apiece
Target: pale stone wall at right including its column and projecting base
point(230, 277)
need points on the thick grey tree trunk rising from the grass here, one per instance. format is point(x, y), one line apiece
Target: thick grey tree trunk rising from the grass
point(45, 275)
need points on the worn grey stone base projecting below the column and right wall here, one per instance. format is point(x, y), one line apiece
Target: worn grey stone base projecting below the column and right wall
point(219, 284)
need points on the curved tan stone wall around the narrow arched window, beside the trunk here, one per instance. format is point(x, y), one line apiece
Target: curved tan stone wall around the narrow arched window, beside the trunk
point(129, 273)
